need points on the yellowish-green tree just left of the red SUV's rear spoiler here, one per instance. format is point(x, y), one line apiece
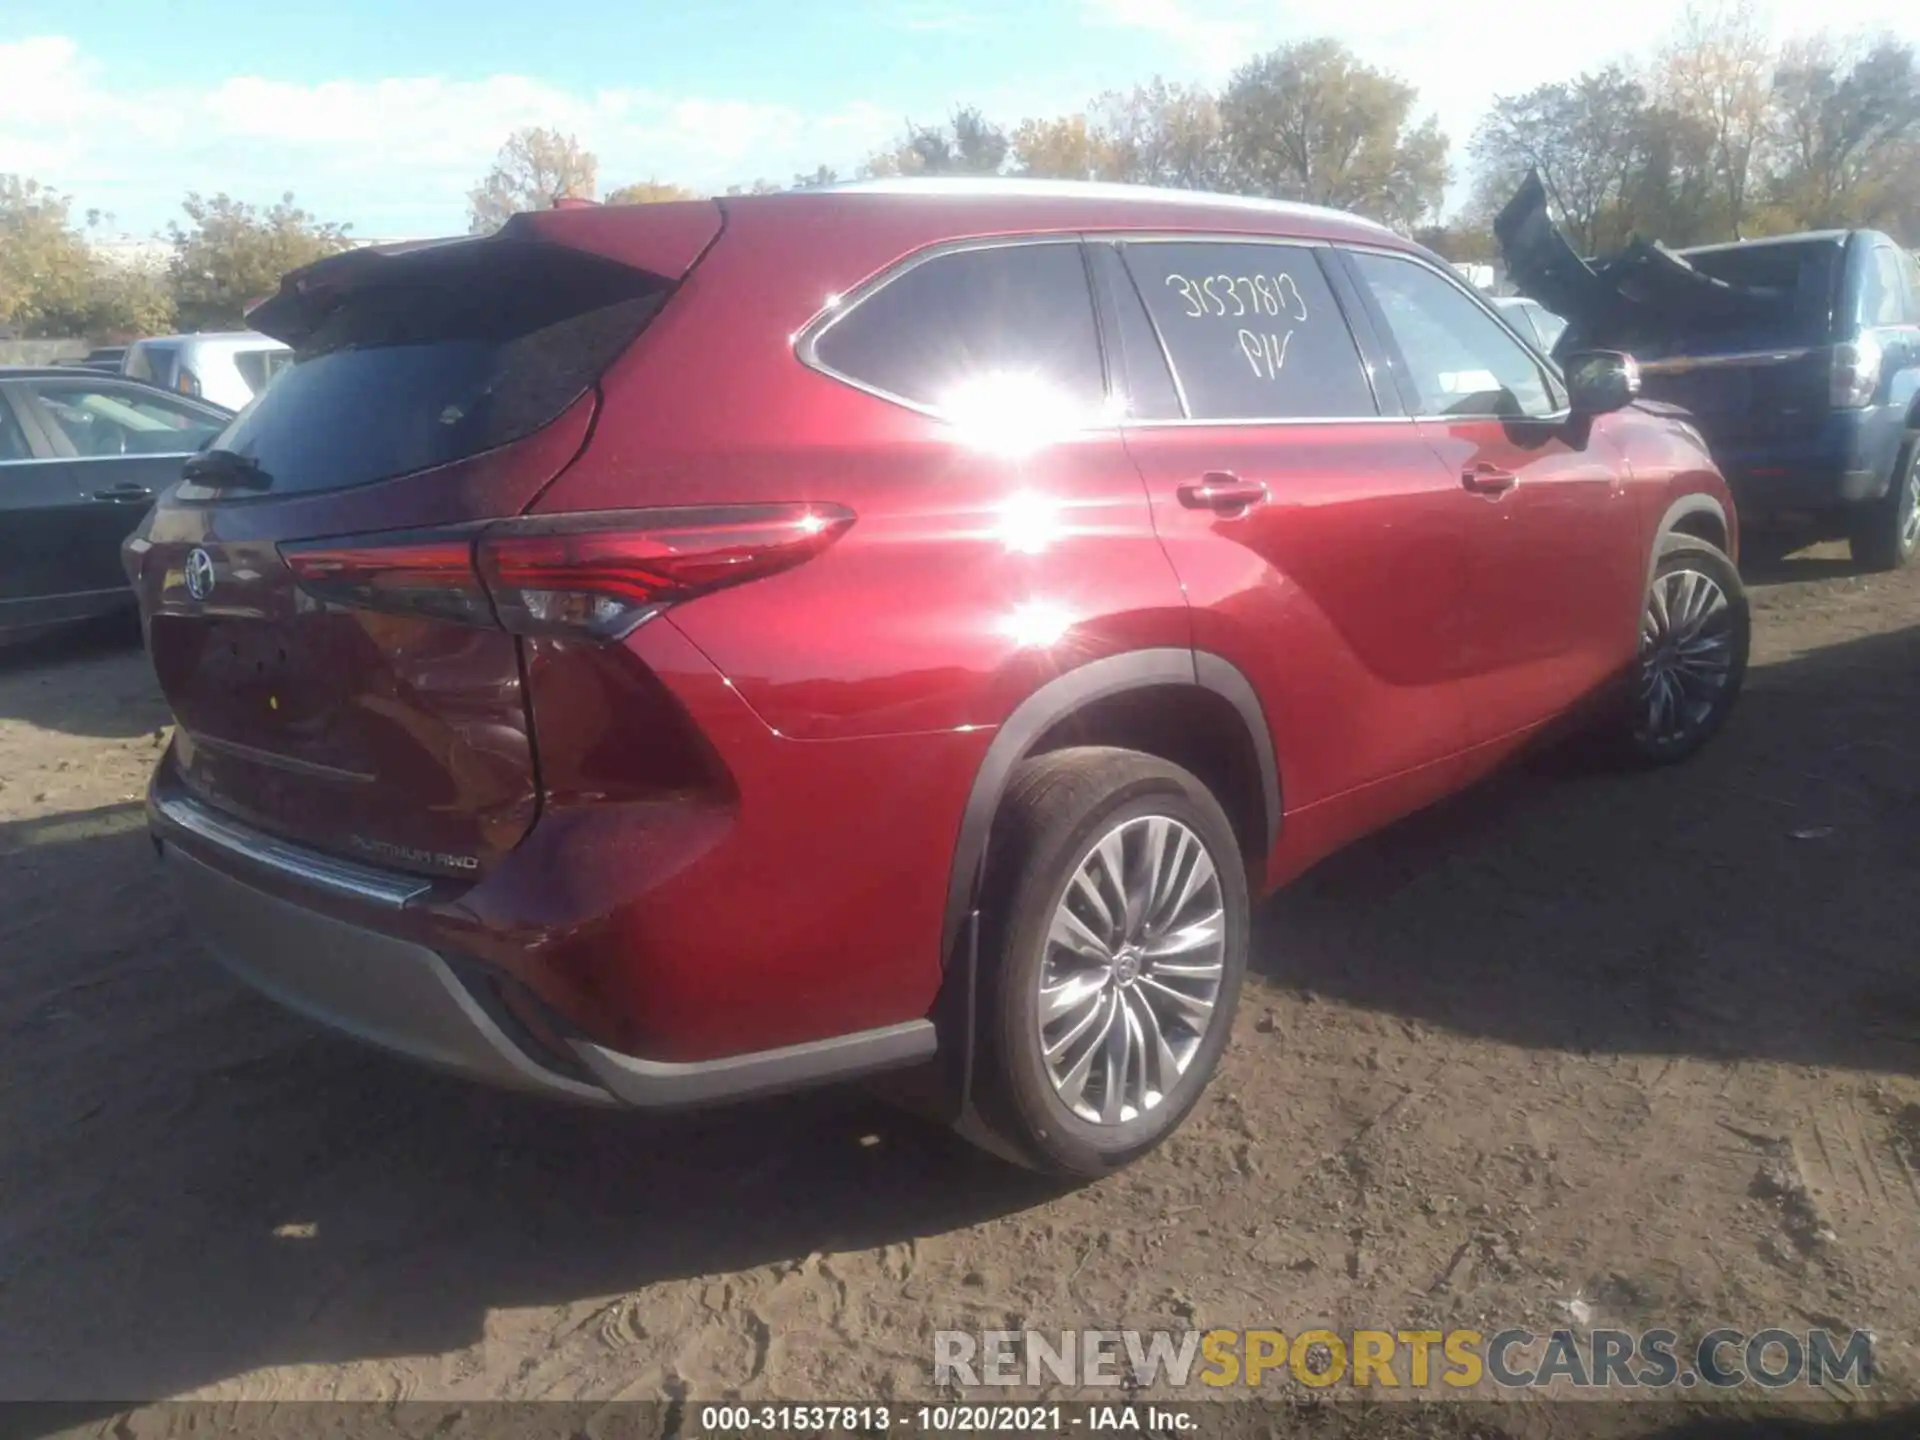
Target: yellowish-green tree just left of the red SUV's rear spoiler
point(233, 254)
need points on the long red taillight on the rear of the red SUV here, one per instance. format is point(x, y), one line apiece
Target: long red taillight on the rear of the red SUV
point(573, 575)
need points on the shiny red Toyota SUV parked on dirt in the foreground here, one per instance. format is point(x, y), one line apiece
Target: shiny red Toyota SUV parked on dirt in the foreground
point(681, 652)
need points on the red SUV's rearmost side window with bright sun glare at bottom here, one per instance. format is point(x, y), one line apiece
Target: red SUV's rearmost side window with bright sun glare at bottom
point(971, 324)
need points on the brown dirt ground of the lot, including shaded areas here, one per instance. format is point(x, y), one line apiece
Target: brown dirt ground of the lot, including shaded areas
point(1637, 1049)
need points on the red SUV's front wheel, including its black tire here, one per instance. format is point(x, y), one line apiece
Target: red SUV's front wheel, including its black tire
point(1694, 638)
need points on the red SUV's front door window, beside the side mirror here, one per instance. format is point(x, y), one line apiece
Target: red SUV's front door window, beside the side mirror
point(1456, 356)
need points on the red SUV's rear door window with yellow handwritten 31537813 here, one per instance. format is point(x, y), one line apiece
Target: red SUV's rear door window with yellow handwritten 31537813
point(1253, 329)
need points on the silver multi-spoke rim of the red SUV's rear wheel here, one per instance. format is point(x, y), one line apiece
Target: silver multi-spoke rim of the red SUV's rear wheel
point(1134, 969)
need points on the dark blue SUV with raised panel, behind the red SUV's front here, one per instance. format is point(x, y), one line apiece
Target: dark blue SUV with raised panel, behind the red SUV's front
point(1796, 356)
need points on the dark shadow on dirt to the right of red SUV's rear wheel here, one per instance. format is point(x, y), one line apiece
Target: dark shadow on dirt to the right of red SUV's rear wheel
point(1758, 903)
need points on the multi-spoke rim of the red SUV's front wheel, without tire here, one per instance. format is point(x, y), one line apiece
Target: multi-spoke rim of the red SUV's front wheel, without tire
point(1687, 656)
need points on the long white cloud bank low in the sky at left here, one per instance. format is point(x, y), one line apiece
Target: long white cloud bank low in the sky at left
point(395, 156)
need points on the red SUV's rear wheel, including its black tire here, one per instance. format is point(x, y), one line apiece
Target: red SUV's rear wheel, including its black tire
point(1063, 811)
